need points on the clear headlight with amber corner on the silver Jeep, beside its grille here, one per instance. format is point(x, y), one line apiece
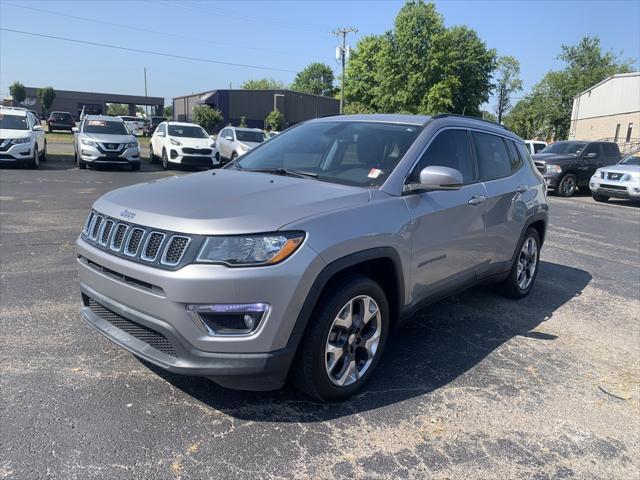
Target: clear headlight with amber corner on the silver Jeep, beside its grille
point(251, 249)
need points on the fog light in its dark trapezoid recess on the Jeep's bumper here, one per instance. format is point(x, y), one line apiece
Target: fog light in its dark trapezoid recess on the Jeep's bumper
point(228, 319)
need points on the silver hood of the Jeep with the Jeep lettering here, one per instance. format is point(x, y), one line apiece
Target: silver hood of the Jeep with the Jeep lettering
point(226, 202)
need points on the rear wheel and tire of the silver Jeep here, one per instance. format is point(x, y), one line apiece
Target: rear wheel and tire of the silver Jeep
point(525, 267)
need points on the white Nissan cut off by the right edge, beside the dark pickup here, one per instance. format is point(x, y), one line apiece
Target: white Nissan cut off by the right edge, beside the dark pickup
point(621, 180)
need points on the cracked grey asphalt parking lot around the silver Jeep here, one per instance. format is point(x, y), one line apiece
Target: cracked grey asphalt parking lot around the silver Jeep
point(476, 386)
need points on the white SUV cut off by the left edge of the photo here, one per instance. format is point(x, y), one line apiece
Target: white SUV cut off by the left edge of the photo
point(21, 137)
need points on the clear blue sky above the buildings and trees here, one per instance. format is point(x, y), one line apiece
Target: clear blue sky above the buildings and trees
point(281, 35)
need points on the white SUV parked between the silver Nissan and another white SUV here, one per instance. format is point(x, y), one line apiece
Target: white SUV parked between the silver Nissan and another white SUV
point(181, 143)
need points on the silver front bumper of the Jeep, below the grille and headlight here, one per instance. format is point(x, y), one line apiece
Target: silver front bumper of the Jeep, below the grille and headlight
point(157, 298)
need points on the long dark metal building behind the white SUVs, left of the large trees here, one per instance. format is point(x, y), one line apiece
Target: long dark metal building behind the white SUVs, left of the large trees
point(255, 105)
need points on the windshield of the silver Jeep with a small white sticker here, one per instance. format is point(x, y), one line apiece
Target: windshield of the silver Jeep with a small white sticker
point(351, 153)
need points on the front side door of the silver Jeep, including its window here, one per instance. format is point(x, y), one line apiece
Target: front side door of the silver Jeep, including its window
point(448, 227)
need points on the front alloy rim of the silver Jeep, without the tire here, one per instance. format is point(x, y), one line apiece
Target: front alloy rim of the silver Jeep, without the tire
point(353, 340)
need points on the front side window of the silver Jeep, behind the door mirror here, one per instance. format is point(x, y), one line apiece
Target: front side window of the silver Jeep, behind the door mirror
point(449, 149)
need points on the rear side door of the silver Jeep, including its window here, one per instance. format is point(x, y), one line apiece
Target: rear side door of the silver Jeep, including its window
point(506, 184)
